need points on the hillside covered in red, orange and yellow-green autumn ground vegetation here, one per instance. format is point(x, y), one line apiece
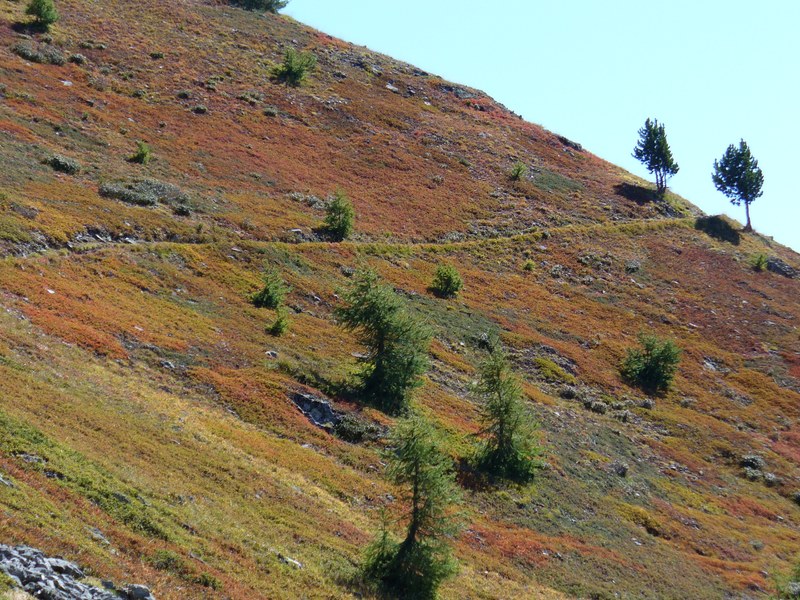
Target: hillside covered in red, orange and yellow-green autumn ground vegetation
point(138, 371)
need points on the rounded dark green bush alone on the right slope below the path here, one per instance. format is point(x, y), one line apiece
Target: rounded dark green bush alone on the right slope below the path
point(652, 366)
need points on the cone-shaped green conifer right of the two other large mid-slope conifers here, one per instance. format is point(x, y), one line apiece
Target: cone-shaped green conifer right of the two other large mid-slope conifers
point(510, 450)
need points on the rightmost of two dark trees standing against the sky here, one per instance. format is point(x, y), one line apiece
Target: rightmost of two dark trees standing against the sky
point(738, 176)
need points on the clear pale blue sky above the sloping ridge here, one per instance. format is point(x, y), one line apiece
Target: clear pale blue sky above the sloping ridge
point(713, 71)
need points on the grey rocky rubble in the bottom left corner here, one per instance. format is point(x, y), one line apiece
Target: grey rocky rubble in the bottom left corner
point(57, 579)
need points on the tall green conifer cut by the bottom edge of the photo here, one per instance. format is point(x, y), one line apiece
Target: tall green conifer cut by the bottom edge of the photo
point(416, 567)
